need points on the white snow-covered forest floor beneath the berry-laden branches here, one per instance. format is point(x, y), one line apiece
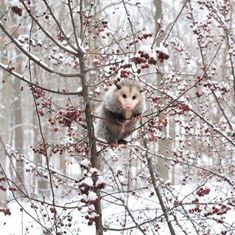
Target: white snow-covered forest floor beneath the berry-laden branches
point(19, 223)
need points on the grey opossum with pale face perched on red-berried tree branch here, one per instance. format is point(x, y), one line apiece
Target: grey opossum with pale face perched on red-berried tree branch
point(119, 111)
